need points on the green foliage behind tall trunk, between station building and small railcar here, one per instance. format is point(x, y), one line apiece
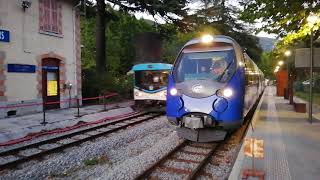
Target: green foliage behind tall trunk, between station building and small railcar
point(120, 33)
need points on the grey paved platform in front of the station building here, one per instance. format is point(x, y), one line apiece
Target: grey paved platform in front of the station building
point(20, 126)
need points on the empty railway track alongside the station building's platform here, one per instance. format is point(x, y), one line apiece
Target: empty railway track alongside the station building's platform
point(11, 158)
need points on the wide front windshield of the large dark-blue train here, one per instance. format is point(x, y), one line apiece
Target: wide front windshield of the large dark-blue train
point(210, 65)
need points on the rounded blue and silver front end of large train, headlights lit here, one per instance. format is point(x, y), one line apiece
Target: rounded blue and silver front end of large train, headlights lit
point(206, 89)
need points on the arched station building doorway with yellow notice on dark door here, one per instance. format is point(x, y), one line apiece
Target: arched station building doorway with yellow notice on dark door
point(50, 83)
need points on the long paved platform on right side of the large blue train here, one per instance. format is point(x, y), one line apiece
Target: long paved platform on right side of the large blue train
point(291, 144)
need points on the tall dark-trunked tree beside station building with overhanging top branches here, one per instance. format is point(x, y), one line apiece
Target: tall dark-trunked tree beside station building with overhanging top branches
point(168, 9)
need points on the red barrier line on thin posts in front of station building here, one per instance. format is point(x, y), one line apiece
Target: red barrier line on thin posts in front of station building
point(77, 100)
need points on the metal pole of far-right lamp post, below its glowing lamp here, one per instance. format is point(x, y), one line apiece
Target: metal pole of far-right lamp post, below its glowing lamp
point(311, 76)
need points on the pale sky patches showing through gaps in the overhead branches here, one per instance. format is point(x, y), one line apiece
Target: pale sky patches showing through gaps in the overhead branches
point(197, 5)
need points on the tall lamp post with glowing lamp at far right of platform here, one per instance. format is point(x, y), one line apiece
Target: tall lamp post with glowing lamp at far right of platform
point(312, 19)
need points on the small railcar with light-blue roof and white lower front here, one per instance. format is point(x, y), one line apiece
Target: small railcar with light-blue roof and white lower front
point(150, 81)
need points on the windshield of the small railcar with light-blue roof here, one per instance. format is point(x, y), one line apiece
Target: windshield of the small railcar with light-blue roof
point(151, 80)
